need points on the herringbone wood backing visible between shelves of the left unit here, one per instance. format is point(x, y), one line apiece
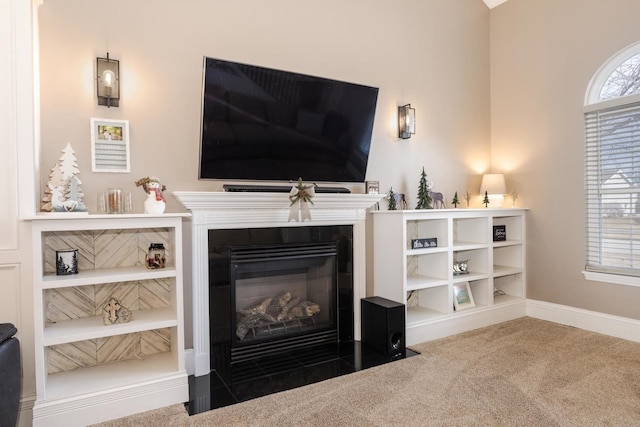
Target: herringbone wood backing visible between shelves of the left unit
point(105, 249)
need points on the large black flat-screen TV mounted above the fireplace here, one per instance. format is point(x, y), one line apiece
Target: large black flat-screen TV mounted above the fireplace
point(265, 124)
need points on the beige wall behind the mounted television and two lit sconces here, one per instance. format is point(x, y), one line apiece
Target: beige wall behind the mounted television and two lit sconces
point(433, 54)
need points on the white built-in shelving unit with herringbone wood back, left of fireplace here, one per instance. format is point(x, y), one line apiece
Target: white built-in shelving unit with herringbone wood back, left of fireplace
point(86, 371)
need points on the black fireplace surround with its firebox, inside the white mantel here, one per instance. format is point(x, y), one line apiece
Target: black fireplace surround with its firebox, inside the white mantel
point(276, 289)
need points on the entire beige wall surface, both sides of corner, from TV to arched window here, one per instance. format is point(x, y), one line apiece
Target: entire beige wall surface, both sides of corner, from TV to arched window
point(433, 54)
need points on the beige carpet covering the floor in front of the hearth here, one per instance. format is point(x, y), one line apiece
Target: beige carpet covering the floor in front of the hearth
point(525, 372)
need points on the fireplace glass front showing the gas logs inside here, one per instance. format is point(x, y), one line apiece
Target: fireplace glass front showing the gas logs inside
point(281, 295)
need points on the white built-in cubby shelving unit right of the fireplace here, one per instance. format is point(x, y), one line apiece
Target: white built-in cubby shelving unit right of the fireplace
point(423, 279)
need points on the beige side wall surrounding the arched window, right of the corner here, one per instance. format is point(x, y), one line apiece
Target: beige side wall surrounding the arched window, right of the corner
point(543, 55)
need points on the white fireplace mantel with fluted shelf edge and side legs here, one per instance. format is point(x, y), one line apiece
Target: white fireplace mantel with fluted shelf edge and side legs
point(219, 210)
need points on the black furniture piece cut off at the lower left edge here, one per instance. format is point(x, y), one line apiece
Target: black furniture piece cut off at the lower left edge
point(10, 375)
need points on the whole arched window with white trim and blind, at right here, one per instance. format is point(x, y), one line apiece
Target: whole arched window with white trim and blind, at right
point(612, 170)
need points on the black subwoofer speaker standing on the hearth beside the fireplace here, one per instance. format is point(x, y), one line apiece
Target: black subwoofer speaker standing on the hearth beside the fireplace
point(383, 325)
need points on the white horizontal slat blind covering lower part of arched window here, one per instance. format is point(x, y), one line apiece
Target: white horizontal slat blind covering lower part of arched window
point(612, 185)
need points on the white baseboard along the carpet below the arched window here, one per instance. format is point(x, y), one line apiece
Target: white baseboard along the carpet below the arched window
point(615, 326)
